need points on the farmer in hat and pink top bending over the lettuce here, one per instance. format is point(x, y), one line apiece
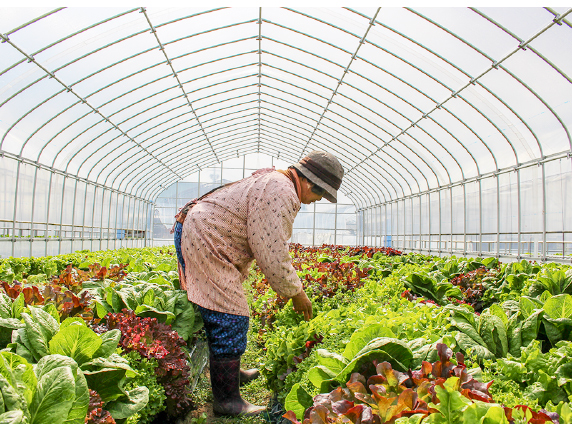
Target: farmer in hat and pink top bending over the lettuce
point(219, 235)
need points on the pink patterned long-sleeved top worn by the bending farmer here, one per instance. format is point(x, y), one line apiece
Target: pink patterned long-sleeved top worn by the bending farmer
point(227, 230)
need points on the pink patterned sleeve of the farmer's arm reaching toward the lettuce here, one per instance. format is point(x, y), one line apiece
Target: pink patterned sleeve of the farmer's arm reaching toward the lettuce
point(272, 208)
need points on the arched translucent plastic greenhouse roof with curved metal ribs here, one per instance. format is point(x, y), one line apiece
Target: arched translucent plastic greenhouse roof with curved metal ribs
point(409, 99)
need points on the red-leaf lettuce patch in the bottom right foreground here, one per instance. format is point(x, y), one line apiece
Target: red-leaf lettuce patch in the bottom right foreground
point(443, 391)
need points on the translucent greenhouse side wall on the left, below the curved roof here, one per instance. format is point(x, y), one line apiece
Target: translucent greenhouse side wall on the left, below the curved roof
point(47, 212)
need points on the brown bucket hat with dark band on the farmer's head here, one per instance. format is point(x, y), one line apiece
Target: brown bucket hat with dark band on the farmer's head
point(324, 170)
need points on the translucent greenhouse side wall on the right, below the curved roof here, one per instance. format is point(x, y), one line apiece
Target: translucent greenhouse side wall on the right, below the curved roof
point(522, 213)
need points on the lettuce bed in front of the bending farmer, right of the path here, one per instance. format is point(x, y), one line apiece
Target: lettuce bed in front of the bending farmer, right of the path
point(412, 338)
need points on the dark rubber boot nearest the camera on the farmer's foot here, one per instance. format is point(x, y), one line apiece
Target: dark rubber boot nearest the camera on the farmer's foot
point(225, 382)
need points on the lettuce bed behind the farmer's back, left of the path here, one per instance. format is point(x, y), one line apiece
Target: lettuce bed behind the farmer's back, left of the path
point(97, 338)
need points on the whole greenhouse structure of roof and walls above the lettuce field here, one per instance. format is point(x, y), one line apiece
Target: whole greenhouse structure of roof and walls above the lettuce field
point(453, 124)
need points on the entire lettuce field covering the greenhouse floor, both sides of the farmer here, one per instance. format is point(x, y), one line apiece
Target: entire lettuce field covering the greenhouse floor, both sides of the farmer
point(101, 337)
